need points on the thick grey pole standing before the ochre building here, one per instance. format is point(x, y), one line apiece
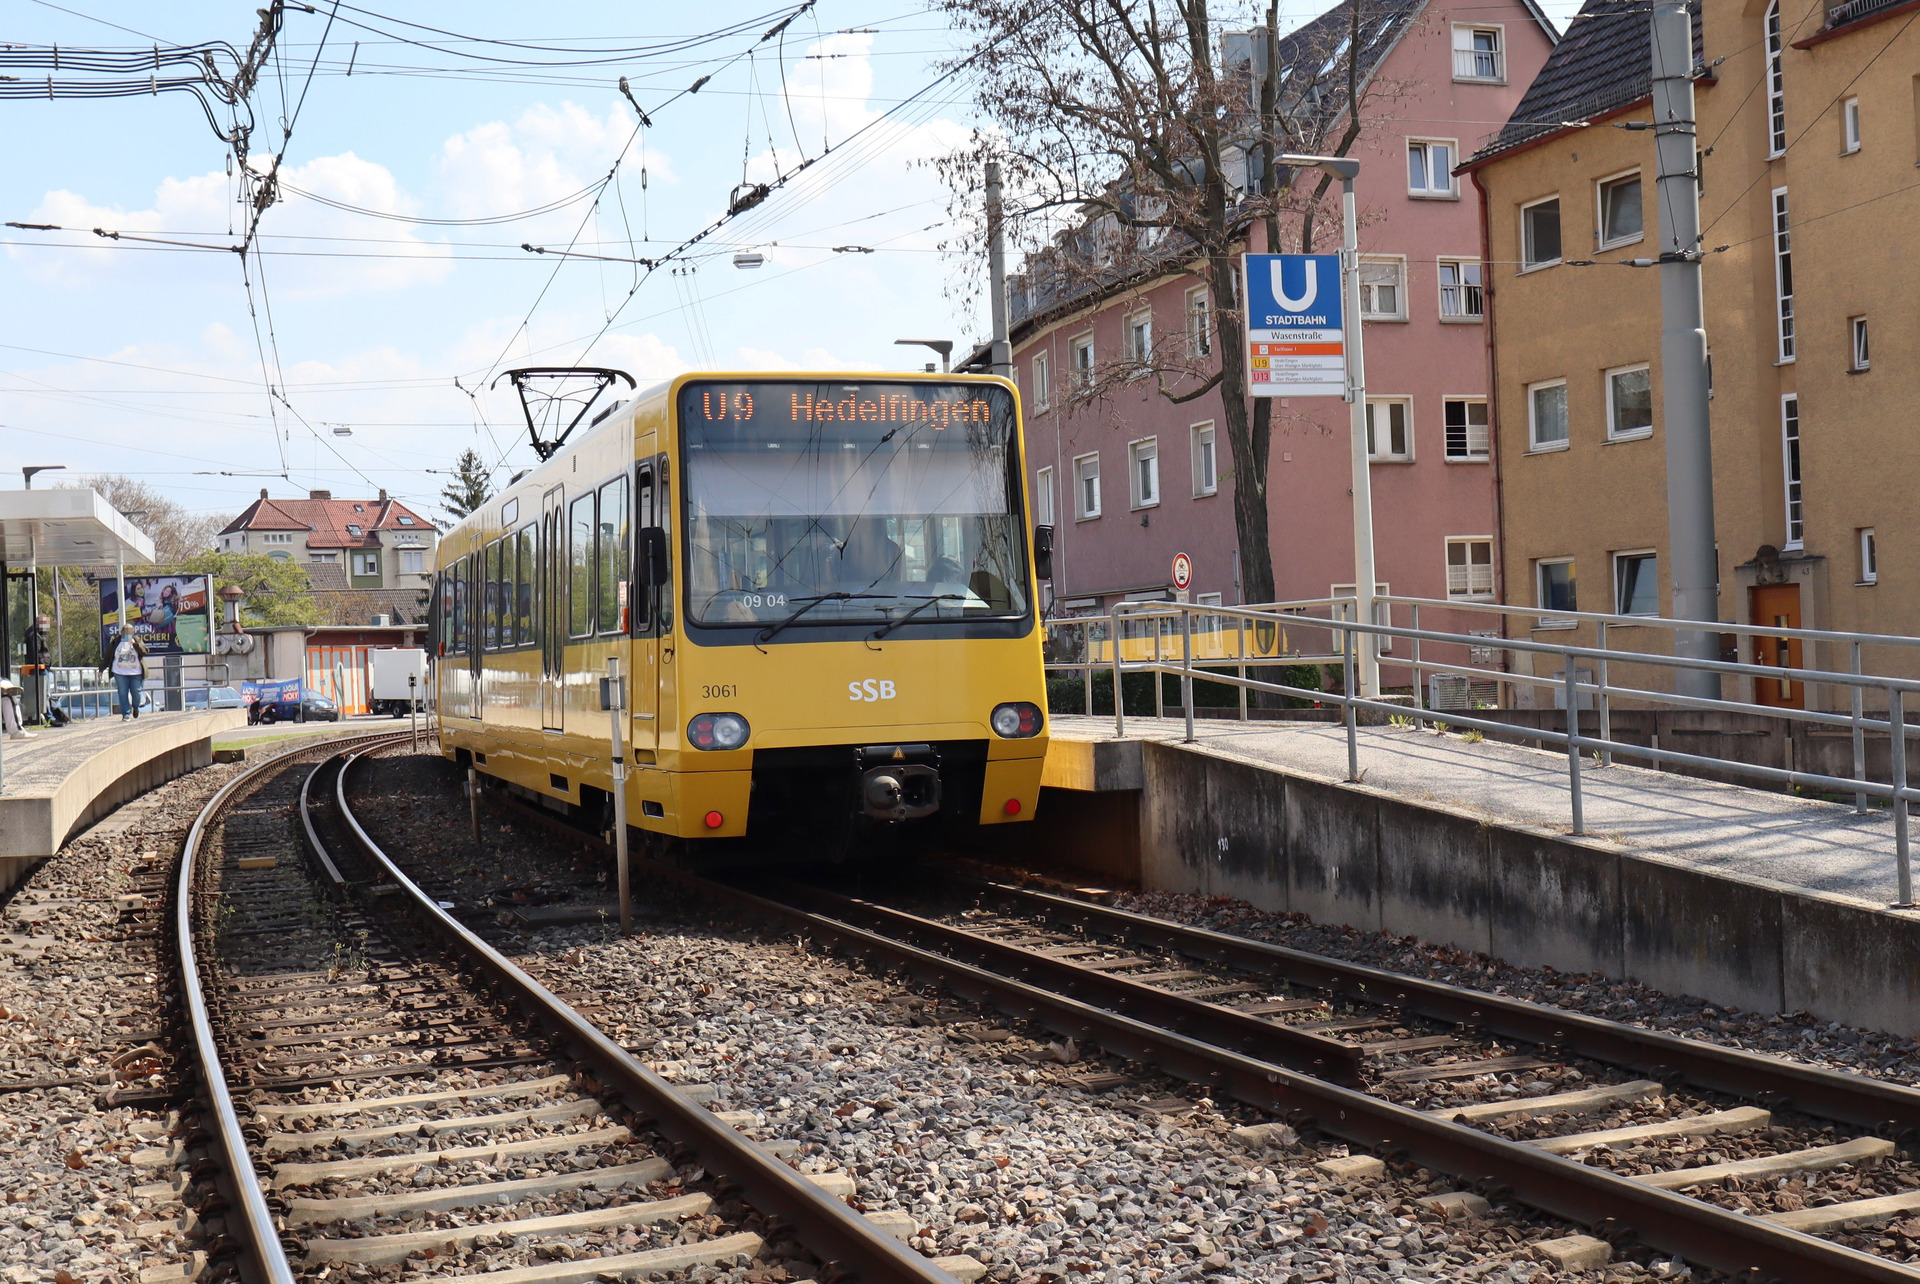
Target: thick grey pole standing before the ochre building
point(1694, 563)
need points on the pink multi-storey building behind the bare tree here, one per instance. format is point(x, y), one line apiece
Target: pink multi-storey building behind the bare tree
point(1130, 479)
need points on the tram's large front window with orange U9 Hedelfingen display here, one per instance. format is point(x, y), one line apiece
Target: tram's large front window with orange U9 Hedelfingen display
point(817, 504)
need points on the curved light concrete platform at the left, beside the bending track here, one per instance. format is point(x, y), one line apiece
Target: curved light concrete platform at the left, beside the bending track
point(66, 778)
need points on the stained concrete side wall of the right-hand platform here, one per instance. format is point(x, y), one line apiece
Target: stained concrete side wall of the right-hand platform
point(1531, 897)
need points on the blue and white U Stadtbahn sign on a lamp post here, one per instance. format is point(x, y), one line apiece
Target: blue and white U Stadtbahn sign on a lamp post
point(1295, 335)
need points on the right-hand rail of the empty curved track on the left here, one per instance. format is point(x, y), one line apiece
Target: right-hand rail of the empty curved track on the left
point(840, 1237)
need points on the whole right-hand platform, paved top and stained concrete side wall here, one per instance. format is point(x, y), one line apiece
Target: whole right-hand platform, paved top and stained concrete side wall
point(1744, 897)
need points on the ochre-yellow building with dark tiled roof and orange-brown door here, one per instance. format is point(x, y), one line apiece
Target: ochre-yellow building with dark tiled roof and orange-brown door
point(1812, 126)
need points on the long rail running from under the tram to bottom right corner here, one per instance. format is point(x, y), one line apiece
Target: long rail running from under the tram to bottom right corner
point(1616, 1208)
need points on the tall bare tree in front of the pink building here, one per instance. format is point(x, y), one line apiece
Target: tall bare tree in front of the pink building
point(1145, 143)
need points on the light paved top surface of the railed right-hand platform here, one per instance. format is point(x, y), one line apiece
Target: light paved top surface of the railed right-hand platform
point(1725, 828)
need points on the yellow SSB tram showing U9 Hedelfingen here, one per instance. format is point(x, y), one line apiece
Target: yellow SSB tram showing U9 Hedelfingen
point(821, 588)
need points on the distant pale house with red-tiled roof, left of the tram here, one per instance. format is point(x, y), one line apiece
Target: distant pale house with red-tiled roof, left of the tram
point(377, 544)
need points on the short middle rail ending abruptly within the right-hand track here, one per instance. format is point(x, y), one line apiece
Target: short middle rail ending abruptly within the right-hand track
point(1270, 1041)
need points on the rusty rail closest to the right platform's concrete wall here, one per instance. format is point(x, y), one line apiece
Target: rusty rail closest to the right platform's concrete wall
point(1829, 1095)
